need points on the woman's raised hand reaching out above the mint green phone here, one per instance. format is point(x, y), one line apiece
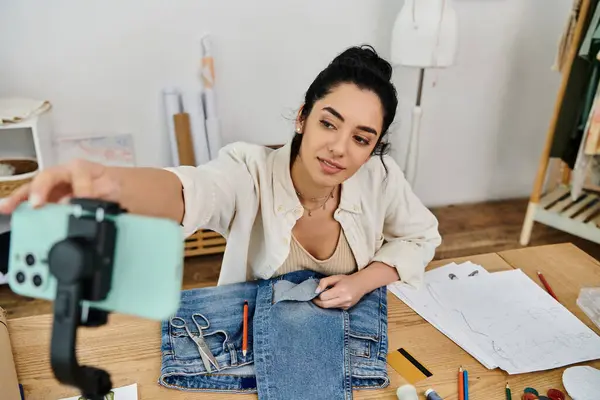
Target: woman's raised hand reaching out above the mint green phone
point(79, 178)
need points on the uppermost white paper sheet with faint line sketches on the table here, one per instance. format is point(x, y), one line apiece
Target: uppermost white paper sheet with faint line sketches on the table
point(517, 323)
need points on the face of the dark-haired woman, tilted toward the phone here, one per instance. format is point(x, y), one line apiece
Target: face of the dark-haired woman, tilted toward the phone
point(340, 133)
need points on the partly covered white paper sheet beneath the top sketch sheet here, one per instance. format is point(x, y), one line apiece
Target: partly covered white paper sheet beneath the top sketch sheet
point(422, 301)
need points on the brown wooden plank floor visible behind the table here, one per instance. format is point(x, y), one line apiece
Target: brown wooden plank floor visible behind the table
point(467, 229)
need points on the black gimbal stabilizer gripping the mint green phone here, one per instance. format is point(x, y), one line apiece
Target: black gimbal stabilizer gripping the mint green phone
point(82, 264)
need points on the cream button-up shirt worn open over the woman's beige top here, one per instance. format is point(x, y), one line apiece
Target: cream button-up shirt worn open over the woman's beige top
point(246, 195)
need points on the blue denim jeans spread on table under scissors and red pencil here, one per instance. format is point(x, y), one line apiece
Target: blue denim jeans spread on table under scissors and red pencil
point(296, 350)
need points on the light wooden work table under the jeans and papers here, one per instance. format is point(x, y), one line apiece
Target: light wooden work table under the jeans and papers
point(129, 347)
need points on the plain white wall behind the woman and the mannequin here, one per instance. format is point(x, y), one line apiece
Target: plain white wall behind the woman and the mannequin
point(103, 65)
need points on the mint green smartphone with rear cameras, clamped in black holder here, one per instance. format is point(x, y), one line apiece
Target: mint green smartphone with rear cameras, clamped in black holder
point(147, 269)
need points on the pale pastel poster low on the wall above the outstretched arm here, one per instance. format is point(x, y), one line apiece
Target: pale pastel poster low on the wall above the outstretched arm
point(114, 150)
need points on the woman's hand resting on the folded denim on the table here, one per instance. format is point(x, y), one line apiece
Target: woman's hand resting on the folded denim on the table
point(345, 291)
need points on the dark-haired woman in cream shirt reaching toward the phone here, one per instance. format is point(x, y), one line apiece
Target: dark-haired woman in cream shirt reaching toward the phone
point(329, 200)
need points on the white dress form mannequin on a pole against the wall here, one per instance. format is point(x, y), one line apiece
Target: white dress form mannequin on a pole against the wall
point(425, 35)
